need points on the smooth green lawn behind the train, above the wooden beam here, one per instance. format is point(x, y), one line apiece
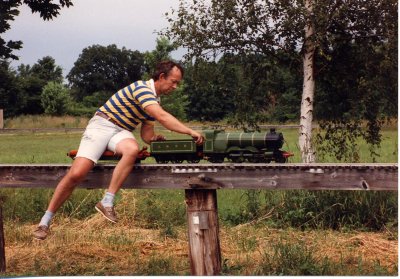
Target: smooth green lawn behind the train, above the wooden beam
point(52, 148)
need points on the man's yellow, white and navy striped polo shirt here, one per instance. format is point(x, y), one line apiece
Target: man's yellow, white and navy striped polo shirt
point(126, 107)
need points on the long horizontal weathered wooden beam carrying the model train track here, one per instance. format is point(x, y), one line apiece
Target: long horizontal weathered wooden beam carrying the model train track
point(216, 176)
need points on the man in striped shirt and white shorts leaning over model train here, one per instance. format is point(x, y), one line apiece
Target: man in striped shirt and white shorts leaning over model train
point(111, 128)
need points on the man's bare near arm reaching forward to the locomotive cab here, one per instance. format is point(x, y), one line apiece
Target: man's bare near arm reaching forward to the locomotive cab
point(171, 123)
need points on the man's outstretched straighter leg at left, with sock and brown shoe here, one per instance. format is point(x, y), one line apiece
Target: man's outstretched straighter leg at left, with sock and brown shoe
point(79, 169)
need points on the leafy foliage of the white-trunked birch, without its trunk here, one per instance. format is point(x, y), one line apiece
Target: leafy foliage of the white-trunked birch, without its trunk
point(211, 29)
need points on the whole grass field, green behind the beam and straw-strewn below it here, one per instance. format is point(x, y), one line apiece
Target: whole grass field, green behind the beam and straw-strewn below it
point(262, 232)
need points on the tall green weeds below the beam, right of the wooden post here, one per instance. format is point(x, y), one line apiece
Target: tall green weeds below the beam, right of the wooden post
point(337, 210)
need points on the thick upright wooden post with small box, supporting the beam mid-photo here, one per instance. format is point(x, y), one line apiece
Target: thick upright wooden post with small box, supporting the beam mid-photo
point(204, 248)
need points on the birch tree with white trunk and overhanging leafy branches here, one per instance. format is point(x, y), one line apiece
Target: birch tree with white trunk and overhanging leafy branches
point(210, 28)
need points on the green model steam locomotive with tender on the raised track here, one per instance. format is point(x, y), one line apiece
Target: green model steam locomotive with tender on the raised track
point(237, 147)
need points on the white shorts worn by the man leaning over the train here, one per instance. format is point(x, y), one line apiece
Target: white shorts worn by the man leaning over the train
point(101, 135)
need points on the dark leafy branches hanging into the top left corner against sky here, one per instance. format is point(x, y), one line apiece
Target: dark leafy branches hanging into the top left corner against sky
point(47, 10)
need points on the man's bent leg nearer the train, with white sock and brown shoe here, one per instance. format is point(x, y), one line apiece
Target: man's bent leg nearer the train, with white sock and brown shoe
point(128, 149)
